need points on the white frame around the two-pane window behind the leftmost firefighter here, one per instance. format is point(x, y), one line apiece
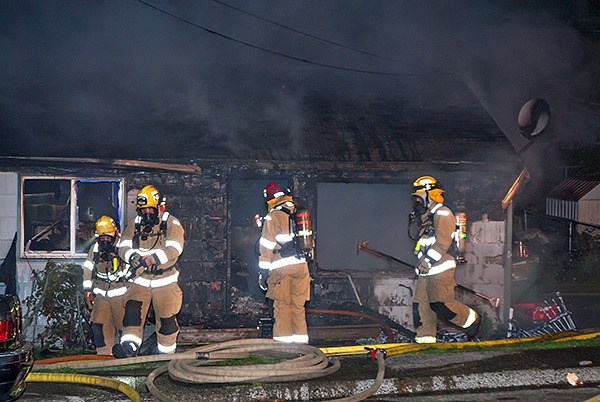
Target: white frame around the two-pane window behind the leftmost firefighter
point(72, 252)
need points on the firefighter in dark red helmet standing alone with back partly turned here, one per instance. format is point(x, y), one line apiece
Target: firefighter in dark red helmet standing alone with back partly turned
point(284, 267)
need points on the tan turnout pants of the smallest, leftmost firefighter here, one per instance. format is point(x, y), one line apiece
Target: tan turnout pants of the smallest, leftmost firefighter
point(107, 322)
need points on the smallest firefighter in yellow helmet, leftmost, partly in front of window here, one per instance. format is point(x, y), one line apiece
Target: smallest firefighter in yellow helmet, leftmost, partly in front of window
point(104, 285)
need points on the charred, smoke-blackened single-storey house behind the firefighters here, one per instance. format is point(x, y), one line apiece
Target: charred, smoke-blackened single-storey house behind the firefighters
point(352, 167)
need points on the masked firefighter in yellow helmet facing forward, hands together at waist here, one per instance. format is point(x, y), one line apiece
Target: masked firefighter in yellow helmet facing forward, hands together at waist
point(151, 244)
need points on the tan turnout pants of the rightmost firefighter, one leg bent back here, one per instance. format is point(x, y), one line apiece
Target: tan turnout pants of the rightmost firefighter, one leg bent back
point(435, 295)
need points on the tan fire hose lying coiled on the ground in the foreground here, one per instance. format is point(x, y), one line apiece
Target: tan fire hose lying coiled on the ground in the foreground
point(300, 362)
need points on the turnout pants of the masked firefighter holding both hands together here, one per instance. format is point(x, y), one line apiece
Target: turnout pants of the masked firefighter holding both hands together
point(166, 301)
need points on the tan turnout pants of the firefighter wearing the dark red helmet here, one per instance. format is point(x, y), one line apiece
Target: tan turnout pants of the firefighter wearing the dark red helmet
point(289, 287)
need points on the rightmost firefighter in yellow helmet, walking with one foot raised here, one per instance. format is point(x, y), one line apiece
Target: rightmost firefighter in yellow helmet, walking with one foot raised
point(434, 294)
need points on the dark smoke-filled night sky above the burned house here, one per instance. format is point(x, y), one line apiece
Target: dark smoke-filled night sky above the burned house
point(184, 79)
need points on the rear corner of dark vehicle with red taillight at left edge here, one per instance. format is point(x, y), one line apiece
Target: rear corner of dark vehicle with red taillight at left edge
point(16, 354)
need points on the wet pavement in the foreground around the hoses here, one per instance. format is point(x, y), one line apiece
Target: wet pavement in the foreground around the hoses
point(419, 376)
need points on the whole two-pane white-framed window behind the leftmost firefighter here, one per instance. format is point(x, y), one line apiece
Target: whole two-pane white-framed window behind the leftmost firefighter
point(58, 215)
